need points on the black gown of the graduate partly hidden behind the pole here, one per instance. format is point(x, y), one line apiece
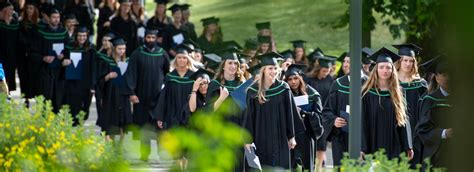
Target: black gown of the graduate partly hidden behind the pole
point(336, 103)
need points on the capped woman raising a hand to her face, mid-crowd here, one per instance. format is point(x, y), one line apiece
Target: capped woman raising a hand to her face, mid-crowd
point(197, 98)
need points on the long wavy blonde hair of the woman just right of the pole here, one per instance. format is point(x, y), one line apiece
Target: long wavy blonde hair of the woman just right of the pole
point(396, 95)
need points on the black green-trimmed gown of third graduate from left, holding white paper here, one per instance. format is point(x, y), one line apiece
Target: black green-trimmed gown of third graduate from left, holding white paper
point(50, 83)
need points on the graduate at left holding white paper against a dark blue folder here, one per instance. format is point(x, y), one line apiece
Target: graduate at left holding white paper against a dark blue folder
point(79, 74)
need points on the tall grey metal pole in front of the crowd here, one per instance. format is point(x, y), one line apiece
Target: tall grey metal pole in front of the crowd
point(355, 27)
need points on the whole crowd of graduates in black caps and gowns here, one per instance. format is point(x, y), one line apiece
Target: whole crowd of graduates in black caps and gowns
point(155, 73)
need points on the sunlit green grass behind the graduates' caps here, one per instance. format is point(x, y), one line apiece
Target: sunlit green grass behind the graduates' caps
point(291, 19)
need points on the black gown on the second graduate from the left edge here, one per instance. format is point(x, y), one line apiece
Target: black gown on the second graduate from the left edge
point(28, 66)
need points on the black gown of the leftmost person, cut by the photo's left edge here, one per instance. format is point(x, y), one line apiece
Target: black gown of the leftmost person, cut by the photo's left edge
point(8, 50)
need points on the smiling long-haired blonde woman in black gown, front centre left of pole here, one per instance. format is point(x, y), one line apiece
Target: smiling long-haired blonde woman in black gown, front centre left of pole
point(270, 116)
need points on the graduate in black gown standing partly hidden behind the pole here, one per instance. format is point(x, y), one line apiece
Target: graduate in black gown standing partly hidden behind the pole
point(335, 113)
